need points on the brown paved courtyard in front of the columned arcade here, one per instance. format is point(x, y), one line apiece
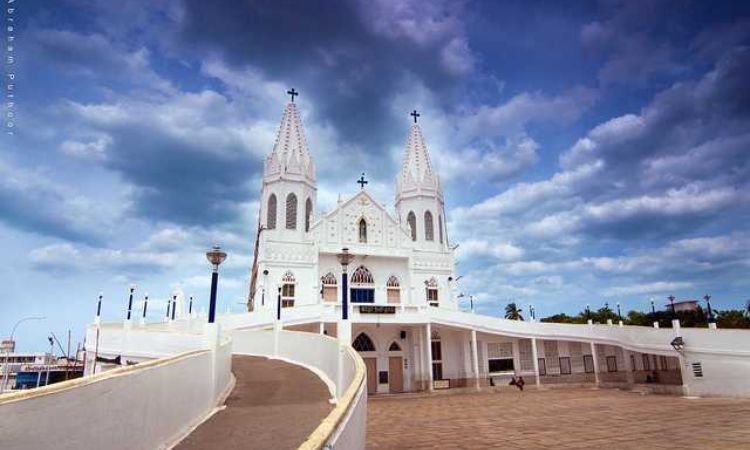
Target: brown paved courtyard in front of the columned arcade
point(557, 419)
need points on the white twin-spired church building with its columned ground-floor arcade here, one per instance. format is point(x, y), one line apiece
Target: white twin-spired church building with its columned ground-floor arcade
point(400, 284)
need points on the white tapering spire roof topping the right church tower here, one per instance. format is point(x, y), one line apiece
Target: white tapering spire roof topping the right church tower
point(417, 174)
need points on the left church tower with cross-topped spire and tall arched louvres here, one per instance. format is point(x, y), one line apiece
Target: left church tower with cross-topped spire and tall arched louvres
point(287, 207)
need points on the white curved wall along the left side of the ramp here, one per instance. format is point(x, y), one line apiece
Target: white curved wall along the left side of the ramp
point(147, 406)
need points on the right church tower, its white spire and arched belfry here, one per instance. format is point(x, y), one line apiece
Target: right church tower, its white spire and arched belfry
point(419, 196)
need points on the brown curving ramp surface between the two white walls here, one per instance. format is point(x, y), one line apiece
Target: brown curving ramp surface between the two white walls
point(274, 405)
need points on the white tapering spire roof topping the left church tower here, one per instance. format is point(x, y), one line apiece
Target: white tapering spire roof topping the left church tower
point(290, 154)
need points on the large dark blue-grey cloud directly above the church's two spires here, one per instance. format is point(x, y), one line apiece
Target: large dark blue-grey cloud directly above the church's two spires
point(347, 58)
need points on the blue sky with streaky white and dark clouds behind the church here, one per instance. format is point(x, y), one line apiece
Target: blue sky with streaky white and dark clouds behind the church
point(590, 151)
